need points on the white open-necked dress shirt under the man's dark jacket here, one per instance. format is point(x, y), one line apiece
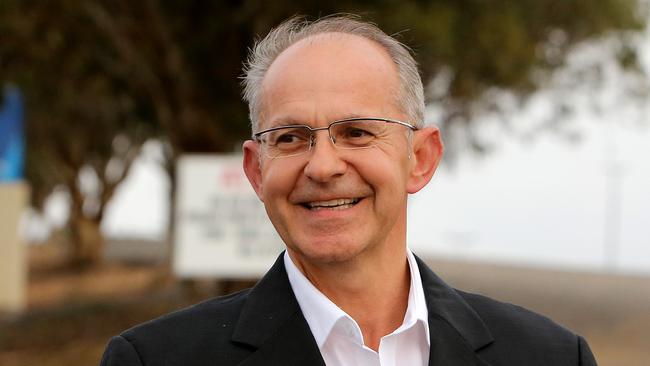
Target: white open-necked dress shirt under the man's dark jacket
point(339, 337)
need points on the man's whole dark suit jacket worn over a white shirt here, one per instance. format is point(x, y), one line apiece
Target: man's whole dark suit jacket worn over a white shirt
point(264, 326)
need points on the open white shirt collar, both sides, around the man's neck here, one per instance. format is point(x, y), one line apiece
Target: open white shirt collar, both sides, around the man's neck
point(322, 314)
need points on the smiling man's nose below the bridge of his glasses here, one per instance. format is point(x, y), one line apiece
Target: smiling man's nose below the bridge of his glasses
point(324, 161)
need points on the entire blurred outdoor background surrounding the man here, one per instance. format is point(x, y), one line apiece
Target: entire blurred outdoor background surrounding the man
point(110, 110)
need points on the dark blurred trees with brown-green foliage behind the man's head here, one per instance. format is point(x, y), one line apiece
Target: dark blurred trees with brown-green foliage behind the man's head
point(125, 71)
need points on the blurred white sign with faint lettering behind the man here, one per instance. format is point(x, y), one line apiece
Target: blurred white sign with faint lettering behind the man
point(222, 229)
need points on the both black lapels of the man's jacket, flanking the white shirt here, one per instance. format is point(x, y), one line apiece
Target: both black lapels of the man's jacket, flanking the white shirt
point(273, 327)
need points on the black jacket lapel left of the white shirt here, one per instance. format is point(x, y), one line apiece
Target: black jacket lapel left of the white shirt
point(272, 325)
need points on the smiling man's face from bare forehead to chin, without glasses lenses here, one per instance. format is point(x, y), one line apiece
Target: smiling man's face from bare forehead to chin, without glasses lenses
point(328, 204)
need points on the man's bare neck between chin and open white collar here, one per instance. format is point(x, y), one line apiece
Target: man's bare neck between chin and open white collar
point(375, 295)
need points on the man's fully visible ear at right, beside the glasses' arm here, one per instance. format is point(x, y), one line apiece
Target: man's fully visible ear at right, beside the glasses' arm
point(427, 152)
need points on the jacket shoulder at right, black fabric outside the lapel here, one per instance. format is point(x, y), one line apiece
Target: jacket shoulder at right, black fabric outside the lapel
point(521, 335)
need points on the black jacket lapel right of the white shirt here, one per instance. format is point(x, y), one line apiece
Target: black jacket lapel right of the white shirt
point(455, 330)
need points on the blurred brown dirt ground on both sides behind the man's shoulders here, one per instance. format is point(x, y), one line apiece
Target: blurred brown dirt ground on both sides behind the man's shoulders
point(72, 314)
